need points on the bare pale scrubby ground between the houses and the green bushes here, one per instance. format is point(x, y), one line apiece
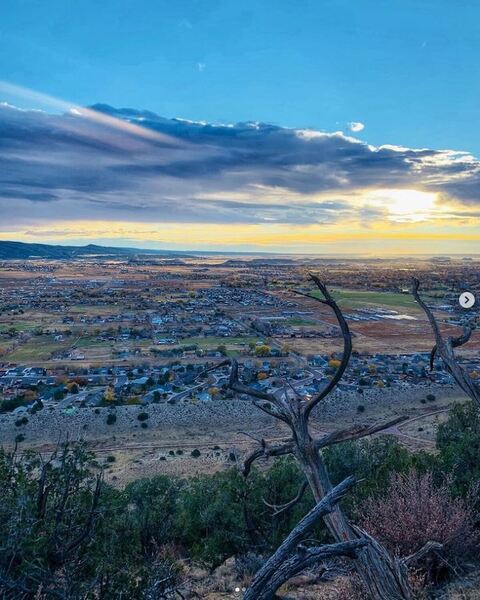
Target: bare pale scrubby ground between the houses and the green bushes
point(164, 442)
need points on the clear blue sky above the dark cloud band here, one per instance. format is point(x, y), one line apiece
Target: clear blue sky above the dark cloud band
point(407, 69)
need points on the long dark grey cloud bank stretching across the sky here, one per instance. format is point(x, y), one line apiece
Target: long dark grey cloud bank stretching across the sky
point(244, 173)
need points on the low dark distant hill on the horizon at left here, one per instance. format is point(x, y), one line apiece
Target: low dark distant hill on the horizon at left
point(20, 250)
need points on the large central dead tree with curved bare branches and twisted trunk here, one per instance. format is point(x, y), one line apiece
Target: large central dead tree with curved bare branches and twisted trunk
point(384, 577)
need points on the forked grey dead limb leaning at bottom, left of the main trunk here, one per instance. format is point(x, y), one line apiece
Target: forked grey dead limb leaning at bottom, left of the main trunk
point(294, 556)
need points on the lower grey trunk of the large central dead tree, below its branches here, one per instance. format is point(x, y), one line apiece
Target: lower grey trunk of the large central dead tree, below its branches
point(382, 575)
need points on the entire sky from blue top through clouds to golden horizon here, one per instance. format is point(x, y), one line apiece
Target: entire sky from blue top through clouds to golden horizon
point(286, 126)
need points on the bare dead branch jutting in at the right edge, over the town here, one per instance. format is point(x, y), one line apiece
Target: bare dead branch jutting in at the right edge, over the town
point(444, 347)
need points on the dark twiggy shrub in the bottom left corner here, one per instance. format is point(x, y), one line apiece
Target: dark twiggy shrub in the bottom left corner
point(60, 512)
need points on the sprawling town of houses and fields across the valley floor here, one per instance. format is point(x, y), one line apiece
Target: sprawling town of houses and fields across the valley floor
point(140, 331)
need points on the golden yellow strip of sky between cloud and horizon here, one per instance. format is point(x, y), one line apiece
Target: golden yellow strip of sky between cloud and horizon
point(380, 237)
